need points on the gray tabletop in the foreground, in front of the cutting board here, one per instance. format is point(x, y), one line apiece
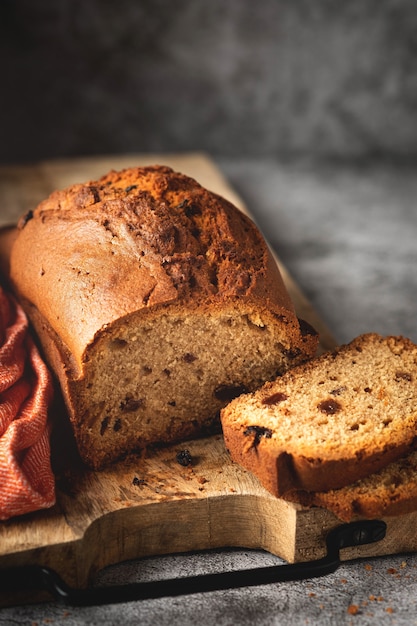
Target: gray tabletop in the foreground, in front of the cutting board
point(383, 590)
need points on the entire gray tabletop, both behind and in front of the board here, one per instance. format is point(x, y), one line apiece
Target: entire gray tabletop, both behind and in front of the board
point(348, 235)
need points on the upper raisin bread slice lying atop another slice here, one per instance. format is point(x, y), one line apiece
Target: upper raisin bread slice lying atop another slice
point(329, 422)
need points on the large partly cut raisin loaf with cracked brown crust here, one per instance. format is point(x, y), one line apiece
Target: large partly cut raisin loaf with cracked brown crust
point(156, 301)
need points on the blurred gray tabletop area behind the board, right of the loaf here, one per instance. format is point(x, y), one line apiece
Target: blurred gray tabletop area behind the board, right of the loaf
point(347, 233)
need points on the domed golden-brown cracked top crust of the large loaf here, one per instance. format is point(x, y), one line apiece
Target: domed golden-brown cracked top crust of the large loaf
point(139, 239)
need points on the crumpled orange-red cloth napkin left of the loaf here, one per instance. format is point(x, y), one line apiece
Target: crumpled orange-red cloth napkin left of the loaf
point(26, 479)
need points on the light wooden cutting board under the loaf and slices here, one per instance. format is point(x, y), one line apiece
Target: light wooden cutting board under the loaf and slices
point(152, 505)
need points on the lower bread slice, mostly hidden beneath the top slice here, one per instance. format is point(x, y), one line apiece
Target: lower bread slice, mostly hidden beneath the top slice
point(391, 491)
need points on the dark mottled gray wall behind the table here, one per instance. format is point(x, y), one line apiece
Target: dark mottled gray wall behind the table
point(233, 78)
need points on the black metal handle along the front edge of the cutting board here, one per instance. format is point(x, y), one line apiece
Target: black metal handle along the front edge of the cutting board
point(37, 577)
